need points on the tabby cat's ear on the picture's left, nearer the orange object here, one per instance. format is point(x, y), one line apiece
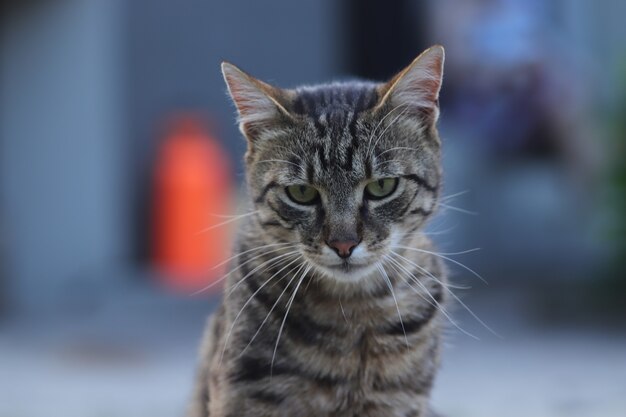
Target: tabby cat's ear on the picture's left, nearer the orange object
point(260, 105)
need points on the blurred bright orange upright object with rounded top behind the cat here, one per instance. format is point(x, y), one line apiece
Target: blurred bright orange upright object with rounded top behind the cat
point(193, 187)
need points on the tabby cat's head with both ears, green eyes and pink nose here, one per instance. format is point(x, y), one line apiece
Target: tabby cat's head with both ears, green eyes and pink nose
point(346, 170)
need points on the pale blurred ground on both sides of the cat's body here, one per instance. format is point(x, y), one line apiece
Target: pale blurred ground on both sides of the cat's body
point(135, 358)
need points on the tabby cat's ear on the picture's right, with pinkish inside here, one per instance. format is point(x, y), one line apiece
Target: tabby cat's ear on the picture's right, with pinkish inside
point(415, 89)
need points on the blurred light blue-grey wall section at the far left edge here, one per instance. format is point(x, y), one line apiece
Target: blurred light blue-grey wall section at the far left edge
point(62, 132)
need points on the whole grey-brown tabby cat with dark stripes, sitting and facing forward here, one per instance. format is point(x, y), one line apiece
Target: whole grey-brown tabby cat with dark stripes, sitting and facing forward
point(333, 306)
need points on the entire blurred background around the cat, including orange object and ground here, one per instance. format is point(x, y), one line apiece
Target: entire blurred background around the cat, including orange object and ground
point(118, 144)
